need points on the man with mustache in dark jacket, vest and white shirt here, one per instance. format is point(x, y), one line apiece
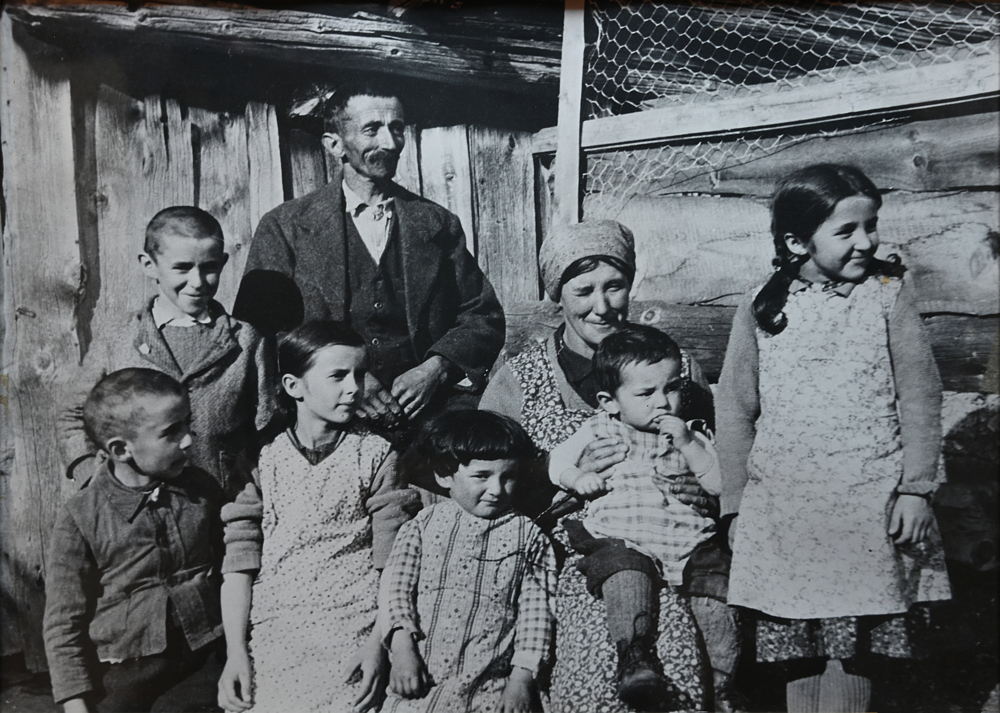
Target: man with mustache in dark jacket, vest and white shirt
point(392, 264)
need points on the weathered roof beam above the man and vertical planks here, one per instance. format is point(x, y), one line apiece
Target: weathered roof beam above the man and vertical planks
point(361, 42)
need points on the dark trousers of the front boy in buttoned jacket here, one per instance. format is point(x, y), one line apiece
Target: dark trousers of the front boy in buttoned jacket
point(177, 680)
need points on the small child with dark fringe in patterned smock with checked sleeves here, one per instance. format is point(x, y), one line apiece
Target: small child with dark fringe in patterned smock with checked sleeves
point(465, 600)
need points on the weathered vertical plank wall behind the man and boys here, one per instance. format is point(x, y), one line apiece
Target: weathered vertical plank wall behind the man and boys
point(74, 281)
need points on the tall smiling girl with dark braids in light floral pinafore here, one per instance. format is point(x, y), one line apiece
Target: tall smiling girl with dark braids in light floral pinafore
point(828, 413)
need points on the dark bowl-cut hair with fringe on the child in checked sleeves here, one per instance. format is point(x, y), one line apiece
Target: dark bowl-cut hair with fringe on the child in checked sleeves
point(456, 438)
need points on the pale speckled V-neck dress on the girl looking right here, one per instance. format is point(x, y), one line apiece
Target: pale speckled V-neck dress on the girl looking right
point(314, 601)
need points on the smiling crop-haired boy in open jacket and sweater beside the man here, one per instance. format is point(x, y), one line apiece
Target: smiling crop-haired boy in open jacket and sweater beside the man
point(226, 365)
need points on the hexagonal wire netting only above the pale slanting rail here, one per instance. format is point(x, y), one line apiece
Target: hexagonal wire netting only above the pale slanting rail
point(643, 55)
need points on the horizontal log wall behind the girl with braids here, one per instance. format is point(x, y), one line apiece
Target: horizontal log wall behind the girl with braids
point(705, 240)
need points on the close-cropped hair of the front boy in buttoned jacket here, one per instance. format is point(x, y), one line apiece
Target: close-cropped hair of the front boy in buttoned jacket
point(112, 407)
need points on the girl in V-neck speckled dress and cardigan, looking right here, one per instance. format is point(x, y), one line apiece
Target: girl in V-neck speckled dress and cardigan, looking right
point(327, 511)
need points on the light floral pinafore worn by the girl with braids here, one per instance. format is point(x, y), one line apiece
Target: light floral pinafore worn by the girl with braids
point(811, 538)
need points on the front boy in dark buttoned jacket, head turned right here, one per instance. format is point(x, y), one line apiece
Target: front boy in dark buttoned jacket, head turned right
point(132, 597)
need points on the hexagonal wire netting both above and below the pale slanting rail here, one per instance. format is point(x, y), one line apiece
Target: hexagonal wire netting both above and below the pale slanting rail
point(653, 55)
